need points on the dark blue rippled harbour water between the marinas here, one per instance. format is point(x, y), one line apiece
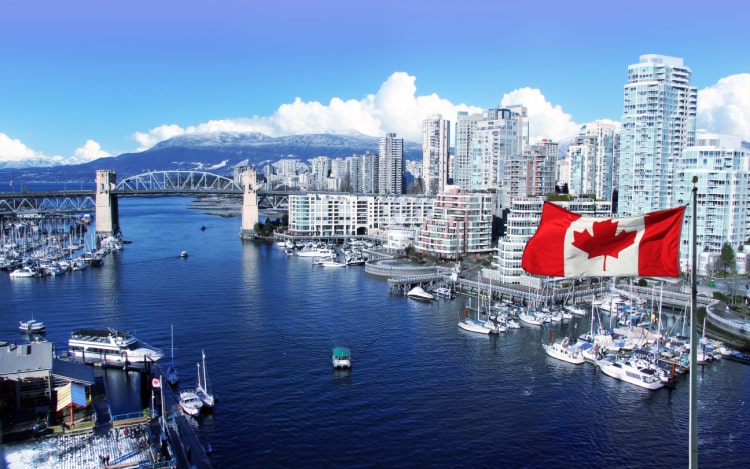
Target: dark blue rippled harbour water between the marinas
point(421, 391)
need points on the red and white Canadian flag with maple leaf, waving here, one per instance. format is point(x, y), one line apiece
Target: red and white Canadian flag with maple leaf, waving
point(568, 244)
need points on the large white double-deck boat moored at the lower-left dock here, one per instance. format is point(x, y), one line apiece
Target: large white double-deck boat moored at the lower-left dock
point(108, 347)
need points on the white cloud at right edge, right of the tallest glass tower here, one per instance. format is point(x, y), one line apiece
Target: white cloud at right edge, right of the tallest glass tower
point(724, 108)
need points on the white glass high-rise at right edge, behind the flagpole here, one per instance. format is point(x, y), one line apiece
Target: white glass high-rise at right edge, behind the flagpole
point(722, 165)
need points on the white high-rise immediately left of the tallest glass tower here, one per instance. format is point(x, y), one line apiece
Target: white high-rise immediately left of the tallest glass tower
point(588, 167)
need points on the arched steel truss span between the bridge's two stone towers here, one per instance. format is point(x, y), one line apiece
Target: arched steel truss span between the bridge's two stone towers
point(177, 182)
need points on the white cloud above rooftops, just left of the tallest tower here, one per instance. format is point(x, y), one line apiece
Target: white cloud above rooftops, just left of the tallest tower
point(545, 119)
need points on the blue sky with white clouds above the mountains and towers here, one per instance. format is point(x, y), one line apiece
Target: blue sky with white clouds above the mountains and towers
point(89, 78)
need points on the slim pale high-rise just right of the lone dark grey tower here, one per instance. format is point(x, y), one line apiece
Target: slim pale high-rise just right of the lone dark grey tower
point(435, 153)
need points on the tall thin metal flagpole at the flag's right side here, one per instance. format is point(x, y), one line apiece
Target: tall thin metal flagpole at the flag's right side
point(693, 460)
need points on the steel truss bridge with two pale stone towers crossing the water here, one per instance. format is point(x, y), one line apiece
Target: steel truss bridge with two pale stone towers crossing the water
point(104, 199)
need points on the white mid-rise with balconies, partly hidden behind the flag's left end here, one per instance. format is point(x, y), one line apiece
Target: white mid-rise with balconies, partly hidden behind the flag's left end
point(523, 220)
